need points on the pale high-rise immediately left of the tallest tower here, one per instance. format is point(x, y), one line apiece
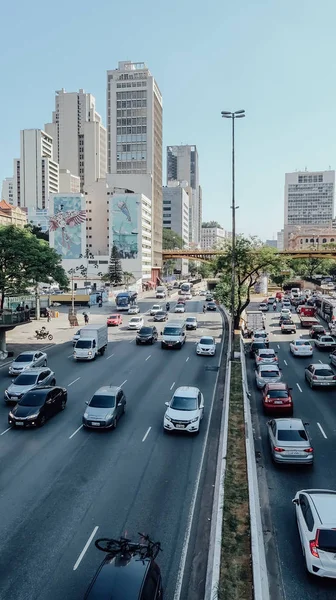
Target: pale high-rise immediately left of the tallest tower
point(79, 136)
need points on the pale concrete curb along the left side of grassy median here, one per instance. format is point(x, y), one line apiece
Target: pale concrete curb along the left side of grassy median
point(215, 543)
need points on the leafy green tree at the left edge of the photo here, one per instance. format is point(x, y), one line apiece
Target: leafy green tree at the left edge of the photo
point(26, 260)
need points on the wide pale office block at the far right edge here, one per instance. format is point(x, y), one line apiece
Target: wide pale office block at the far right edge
point(309, 200)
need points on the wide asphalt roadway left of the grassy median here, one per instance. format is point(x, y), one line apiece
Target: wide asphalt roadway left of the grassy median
point(60, 484)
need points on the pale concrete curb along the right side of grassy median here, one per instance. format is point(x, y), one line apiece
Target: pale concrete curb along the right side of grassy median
point(259, 568)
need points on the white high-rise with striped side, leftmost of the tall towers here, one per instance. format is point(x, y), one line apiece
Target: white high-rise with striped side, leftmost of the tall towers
point(36, 174)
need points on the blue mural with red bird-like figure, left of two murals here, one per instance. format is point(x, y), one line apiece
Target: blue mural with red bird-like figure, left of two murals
point(66, 223)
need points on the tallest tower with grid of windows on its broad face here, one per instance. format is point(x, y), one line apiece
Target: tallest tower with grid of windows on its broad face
point(134, 138)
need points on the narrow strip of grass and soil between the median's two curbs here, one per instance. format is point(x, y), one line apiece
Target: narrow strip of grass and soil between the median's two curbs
point(236, 581)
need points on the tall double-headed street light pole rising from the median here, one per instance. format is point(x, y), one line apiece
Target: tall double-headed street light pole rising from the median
point(238, 114)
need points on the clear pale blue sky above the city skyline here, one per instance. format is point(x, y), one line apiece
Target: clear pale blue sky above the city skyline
point(274, 58)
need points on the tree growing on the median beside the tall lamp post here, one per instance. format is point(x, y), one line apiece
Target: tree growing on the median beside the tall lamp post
point(252, 260)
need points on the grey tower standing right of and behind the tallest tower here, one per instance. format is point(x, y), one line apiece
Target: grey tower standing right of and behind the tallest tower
point(182, 165)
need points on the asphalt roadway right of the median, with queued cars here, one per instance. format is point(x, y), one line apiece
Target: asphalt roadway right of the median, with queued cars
point(318, 408)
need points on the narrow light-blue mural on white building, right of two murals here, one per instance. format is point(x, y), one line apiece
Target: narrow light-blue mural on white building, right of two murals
point(125, 225)
